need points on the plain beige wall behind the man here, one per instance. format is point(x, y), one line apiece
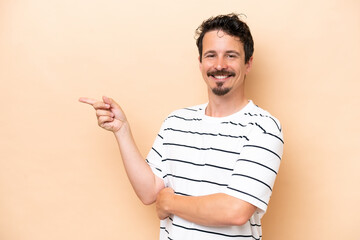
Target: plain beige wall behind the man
point(61, 176)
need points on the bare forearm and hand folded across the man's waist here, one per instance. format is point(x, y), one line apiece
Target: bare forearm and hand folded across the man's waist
point(218, 209)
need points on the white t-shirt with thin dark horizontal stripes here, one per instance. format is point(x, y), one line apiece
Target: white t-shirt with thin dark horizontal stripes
point(199, 155)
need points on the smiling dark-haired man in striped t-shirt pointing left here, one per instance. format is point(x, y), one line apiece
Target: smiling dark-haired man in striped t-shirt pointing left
point(212, 167)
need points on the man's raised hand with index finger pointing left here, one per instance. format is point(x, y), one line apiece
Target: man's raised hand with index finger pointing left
point(109, 114)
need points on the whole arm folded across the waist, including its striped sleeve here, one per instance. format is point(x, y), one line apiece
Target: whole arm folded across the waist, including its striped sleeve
point(247, 192)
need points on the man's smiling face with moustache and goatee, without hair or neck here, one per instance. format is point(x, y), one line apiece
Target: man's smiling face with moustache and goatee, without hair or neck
point(223, 63)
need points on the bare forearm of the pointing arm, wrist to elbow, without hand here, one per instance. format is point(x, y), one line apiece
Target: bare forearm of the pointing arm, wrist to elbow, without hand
point(142, 179)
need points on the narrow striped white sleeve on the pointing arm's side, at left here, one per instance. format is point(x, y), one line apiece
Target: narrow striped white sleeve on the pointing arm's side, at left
point(155, 156)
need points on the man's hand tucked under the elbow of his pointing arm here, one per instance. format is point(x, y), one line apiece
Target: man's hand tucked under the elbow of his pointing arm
point(163, 201)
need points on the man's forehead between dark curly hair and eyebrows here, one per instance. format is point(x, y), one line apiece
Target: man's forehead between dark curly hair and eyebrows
point(218, 40)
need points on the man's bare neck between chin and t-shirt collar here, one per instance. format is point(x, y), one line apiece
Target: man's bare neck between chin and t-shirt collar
point(222, 106)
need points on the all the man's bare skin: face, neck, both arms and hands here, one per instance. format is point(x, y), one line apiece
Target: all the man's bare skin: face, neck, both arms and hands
point(221, 52)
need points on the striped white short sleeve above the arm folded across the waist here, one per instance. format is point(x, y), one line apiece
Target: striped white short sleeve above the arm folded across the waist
point(255, 171)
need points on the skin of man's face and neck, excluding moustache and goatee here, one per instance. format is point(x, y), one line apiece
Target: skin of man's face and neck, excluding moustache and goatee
point(224, 52)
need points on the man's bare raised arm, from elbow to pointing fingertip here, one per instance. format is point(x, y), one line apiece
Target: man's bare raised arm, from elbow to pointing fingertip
point(112, 118)
